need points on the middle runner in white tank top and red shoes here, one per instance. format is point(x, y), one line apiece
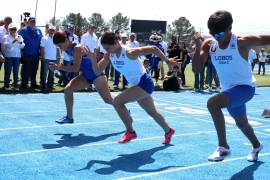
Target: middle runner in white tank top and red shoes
point(127, 62)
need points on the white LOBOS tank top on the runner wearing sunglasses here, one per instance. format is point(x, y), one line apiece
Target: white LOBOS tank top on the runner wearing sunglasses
point(231, 67)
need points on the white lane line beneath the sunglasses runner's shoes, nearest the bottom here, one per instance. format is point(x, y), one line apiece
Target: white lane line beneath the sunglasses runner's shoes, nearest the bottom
point(188, 167)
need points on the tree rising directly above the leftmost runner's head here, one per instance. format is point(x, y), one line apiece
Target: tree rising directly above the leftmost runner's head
point(77, 20)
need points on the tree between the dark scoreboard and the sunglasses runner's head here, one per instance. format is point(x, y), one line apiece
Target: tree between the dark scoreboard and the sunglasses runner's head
point(182, 29)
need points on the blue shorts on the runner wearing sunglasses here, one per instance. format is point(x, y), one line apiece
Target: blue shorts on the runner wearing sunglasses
point(239, 96)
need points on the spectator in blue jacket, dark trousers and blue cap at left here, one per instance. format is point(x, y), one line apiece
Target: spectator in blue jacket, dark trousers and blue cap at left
point(32, 37)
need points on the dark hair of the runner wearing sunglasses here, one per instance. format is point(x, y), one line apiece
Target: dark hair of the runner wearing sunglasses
point(219, 21)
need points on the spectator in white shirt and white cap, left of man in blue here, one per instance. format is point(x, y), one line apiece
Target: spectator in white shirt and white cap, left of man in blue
point(11, 46)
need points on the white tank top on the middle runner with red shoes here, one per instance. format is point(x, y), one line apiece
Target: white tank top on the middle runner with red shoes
point(132, 69)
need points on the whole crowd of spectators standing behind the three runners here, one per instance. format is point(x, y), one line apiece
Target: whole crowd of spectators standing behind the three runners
point(23, 49)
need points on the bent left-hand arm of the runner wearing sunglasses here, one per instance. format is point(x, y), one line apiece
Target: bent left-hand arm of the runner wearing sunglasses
point(200, 54)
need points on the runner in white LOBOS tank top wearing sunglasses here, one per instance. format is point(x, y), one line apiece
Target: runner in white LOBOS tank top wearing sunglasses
point(229, 55)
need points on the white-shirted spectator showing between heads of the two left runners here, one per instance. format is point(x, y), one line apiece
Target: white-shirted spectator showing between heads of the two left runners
point(90, 39)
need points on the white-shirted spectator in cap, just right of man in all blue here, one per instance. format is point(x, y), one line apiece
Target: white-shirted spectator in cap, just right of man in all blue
point(48, 55)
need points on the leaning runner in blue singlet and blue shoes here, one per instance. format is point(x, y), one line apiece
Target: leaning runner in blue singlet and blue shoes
point(83, 64)
